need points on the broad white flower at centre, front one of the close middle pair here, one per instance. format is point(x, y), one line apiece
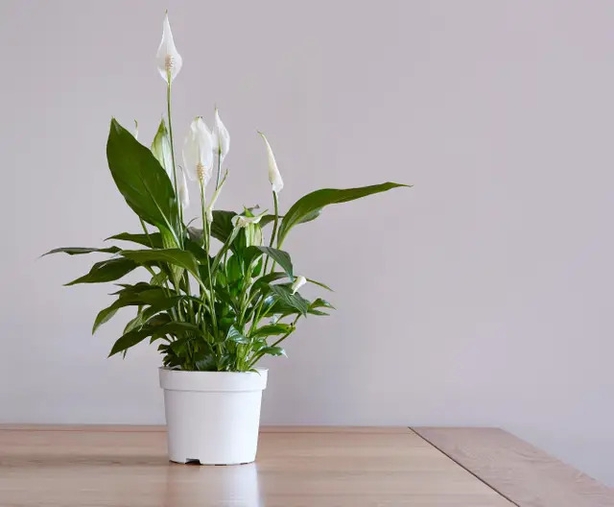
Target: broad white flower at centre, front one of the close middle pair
point(197, 152)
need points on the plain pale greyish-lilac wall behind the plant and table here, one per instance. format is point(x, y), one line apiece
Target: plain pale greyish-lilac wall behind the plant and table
point(483, 296)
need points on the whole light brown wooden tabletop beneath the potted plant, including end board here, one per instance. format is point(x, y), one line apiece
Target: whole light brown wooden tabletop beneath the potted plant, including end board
point(296, 466)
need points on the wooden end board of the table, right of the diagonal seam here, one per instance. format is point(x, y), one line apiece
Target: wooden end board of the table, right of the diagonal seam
point(524, 474)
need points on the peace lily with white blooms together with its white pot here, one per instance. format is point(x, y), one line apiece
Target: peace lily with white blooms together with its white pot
point(215, 299)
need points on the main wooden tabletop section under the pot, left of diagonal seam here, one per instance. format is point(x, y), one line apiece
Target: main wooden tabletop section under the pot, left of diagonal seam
point(325, 467)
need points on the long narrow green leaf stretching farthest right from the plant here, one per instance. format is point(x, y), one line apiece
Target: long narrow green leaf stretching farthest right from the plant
point(308, 207)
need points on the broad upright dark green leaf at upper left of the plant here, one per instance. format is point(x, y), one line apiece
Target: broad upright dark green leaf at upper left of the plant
point(142, 180)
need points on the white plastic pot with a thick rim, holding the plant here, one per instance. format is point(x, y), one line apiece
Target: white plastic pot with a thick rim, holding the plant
point(212, 417)
